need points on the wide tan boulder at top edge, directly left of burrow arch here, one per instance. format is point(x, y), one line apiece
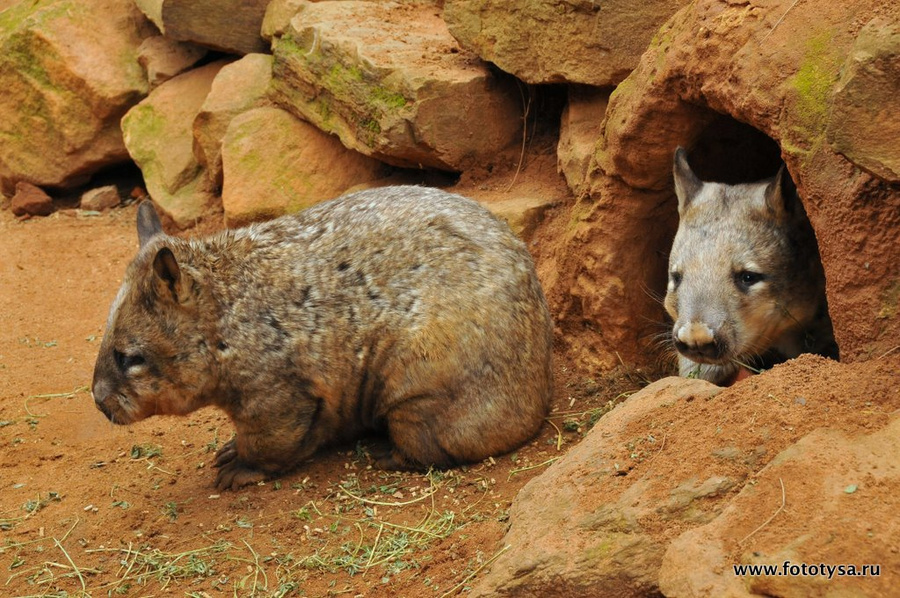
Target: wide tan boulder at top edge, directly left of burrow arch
point(573, 41)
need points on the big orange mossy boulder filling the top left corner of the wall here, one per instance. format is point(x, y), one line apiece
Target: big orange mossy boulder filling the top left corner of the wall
point(69, 71)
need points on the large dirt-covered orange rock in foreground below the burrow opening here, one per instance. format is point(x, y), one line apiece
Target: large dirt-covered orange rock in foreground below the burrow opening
point(684, 479)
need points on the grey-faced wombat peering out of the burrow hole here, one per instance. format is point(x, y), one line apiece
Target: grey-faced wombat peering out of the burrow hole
point(746, 286)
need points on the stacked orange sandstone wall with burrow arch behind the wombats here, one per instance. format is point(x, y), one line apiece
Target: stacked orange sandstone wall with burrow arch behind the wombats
point(423, 84)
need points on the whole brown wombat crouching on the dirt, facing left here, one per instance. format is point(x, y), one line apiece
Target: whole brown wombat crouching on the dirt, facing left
point(403, 310)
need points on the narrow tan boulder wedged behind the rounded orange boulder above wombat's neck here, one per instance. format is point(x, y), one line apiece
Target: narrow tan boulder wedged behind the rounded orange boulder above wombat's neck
point(237, 88)
